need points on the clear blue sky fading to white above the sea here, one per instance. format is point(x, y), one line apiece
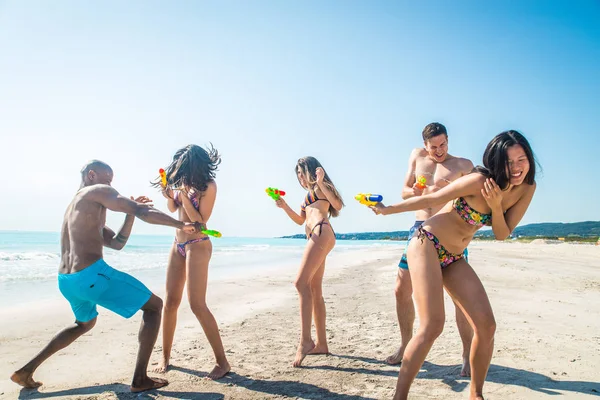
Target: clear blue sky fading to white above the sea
point(351, 83)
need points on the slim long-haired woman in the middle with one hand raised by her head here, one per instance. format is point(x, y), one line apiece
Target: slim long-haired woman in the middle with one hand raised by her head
point(321, 202)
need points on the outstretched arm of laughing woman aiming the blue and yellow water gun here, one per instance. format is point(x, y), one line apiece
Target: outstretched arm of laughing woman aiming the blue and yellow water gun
point(464, 186)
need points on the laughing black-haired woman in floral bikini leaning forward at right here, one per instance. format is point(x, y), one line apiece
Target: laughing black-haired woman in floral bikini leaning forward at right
point(501, 190)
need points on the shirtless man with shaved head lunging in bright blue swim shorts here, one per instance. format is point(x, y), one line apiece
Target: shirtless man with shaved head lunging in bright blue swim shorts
point(85, 280)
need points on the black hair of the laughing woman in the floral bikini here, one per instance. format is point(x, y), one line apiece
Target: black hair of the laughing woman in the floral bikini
point(495, 158)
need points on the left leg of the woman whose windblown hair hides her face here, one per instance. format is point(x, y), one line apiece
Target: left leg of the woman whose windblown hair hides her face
point(174, 291)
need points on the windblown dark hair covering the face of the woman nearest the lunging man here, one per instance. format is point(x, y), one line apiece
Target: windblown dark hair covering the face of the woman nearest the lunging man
point(192, 167)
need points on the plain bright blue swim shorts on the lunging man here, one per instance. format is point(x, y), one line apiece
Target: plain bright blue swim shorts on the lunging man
point(100, 284)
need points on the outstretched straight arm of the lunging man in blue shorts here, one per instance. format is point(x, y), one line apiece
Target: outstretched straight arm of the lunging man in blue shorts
point(112, 200)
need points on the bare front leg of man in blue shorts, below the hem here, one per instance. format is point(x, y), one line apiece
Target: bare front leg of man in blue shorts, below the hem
point(147, 338)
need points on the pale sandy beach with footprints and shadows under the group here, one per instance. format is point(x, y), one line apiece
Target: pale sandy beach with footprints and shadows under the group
point(546, 299)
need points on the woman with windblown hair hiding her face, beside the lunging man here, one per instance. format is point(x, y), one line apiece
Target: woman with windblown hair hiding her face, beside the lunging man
point(191, 191)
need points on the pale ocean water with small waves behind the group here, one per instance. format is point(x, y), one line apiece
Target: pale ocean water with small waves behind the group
point(29, 260)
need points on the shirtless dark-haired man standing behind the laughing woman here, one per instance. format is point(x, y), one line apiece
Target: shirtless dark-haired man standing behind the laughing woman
point(439, 169)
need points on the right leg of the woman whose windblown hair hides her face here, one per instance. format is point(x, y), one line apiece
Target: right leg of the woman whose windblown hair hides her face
point(198, 257)
